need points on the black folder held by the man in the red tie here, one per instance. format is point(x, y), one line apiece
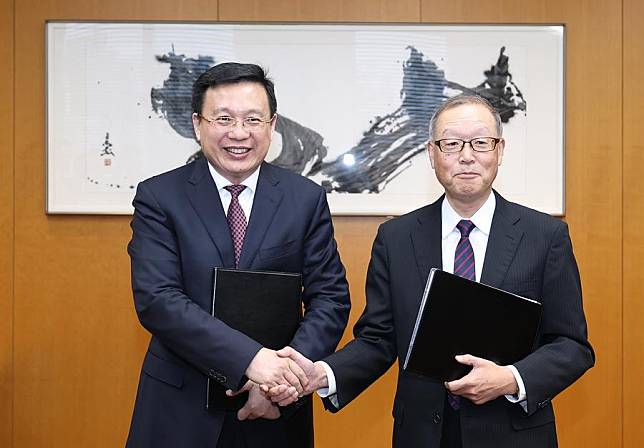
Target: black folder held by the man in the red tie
point(265, 306)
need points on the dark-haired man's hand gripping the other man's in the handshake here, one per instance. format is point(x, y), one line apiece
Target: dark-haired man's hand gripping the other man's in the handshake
point(269, 369)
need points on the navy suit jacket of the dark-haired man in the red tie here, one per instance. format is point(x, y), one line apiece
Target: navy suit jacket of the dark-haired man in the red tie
point(179, 233)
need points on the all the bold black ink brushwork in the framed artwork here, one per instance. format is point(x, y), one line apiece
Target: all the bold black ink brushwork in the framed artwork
point(385, 149)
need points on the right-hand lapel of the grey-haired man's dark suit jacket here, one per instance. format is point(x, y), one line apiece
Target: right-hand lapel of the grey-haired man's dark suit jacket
point(502, 243)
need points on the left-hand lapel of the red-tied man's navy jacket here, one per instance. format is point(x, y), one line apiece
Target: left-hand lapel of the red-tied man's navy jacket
point(205, 200)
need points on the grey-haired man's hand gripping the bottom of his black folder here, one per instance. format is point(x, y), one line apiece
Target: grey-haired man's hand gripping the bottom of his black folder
point(485, 382)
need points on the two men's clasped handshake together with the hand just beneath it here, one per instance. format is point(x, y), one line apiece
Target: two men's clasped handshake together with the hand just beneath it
point(278, 378)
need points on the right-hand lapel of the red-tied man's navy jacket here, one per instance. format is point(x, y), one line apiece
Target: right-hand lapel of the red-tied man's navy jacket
point(265, 204)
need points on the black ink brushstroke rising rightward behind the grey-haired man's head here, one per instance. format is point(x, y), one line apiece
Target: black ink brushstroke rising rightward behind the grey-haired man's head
point(379, 157)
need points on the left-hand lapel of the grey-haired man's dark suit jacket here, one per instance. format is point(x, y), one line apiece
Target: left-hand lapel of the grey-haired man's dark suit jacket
point(426, 240)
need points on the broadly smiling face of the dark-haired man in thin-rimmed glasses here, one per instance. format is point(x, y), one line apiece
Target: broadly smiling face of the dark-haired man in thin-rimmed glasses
point(235, 153)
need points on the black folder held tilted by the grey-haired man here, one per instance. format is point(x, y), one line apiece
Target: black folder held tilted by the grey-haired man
point(459, 316)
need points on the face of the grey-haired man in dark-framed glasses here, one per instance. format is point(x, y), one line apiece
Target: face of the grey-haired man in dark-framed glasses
point(467, 176)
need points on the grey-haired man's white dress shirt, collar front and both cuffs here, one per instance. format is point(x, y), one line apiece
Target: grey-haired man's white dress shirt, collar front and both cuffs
point(482, 219)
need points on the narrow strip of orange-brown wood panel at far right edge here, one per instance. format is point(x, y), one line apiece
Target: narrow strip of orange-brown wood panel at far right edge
point(633, 223)
